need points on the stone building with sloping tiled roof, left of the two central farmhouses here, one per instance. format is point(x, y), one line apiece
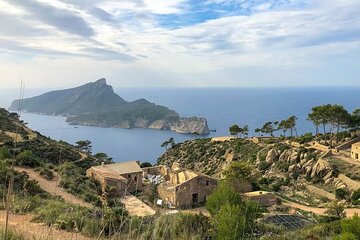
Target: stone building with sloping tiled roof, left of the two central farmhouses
point(126, 177)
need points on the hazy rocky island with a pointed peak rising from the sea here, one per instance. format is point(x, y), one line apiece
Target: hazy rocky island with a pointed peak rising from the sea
point(96, 104)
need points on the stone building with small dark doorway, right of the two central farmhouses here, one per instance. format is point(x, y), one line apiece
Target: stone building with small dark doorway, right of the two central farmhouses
point(185, 188)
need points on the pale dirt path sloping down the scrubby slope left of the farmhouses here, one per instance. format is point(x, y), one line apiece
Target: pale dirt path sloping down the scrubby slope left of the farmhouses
point(52, 187)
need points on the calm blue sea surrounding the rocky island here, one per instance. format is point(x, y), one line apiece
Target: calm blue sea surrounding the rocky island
point(222, 107)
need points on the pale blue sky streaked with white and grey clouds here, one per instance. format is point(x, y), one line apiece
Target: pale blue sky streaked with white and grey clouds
point(180, 43)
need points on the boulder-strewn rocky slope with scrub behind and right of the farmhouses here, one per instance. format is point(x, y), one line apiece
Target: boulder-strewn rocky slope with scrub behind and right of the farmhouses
point(296, 171)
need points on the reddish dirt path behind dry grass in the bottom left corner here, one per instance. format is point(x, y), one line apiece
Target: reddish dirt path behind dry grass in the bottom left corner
point(22, 224)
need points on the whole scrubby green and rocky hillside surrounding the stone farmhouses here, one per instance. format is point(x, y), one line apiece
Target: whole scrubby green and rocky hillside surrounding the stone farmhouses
point(51, 187)
